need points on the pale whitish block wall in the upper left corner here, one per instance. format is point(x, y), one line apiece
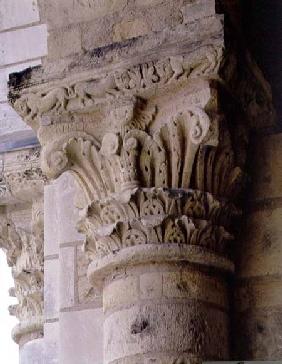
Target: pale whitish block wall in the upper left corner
point(23, 42)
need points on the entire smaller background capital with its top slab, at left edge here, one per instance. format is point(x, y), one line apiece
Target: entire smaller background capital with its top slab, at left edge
point(22, 239)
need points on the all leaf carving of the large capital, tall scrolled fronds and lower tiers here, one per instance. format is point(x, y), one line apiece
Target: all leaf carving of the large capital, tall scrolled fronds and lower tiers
point(125, 177)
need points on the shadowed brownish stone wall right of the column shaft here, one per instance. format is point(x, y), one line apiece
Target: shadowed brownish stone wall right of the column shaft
point(258, 298)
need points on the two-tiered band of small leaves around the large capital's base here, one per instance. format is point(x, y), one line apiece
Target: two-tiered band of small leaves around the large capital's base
point(157, 216)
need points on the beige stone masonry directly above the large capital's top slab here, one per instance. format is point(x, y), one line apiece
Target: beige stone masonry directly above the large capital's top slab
point(82, 25)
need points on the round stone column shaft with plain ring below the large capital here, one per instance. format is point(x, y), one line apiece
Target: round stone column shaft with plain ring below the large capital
point(162, 311)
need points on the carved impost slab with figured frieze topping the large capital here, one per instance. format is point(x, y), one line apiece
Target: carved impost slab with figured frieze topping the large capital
point(141, 68)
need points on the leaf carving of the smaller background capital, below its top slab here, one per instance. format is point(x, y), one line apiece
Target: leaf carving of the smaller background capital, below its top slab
point(25, 256)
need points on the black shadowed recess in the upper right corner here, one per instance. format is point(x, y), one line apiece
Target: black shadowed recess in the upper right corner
point(263, 30)
